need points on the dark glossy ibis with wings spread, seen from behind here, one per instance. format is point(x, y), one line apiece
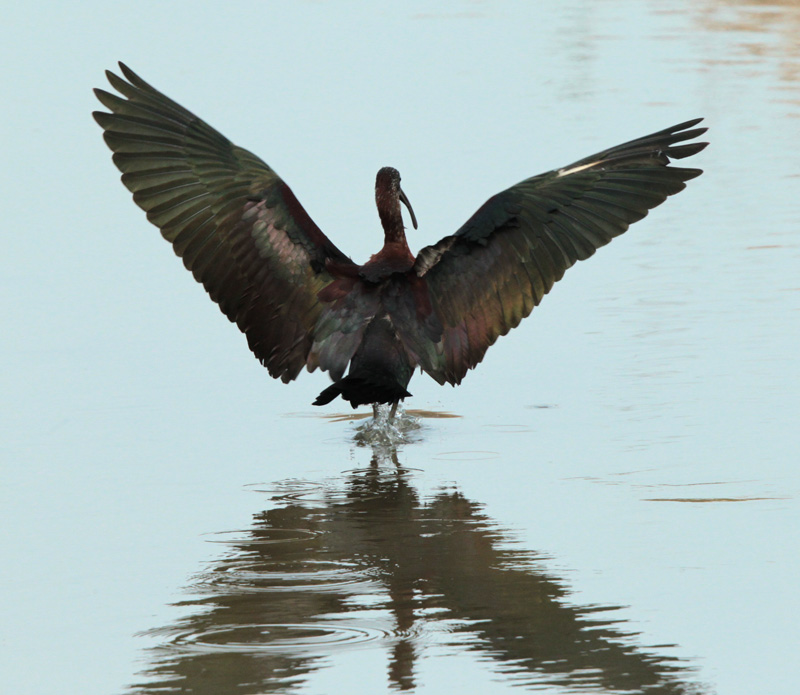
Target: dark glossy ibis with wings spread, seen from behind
point(302, 303)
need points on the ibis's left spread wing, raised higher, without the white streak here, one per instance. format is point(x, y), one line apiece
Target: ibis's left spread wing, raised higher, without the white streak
point(234, 222)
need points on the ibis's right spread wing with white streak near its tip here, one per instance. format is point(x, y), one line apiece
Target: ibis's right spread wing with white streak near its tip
point(488, 276)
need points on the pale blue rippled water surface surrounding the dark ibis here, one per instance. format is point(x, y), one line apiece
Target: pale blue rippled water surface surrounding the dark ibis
point(615, 508)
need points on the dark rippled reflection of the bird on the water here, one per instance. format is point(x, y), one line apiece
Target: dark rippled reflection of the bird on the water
point(365, 562)
